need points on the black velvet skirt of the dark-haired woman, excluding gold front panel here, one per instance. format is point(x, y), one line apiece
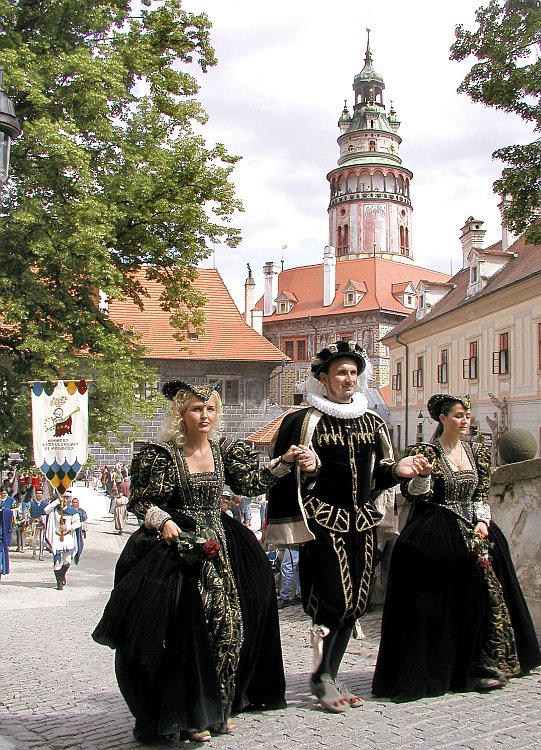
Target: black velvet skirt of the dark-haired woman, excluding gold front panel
point(435, 607)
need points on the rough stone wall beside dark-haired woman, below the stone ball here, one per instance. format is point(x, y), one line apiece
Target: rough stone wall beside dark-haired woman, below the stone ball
point(515, 499)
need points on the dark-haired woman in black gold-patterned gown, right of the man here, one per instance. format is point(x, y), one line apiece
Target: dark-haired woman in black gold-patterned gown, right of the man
point(455, 618)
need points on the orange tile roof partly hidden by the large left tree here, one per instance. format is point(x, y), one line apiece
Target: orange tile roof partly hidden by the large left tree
point(227, 336)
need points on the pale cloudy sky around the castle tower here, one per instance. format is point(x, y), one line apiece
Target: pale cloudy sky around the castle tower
point(274, 98)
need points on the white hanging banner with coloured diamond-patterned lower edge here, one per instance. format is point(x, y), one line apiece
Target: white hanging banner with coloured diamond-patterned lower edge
point(60, 430)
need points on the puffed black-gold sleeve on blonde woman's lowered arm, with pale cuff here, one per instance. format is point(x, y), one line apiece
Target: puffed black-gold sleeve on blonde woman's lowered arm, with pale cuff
point(152, 484)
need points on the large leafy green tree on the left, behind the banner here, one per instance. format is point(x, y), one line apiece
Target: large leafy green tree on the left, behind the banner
point(108, 176)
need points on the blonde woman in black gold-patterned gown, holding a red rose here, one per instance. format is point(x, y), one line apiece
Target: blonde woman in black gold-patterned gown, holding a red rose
point(193, 612)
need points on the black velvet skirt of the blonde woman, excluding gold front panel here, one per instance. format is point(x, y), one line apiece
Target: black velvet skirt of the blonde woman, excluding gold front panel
point(155, 620)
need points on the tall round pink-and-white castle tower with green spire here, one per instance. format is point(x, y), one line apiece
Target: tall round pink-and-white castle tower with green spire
point(370, 208)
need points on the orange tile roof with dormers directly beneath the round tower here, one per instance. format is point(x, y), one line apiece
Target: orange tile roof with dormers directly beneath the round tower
point(379, 275)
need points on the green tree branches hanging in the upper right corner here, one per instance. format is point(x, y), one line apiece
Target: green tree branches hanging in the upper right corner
point(507, 45)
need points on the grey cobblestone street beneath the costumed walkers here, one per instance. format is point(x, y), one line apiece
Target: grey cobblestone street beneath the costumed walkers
point(59, 690)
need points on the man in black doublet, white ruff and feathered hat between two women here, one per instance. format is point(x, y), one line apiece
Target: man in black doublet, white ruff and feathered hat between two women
point(326, 504)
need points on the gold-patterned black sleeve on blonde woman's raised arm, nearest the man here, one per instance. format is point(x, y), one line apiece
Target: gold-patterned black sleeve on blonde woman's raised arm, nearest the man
point(243, 472)
